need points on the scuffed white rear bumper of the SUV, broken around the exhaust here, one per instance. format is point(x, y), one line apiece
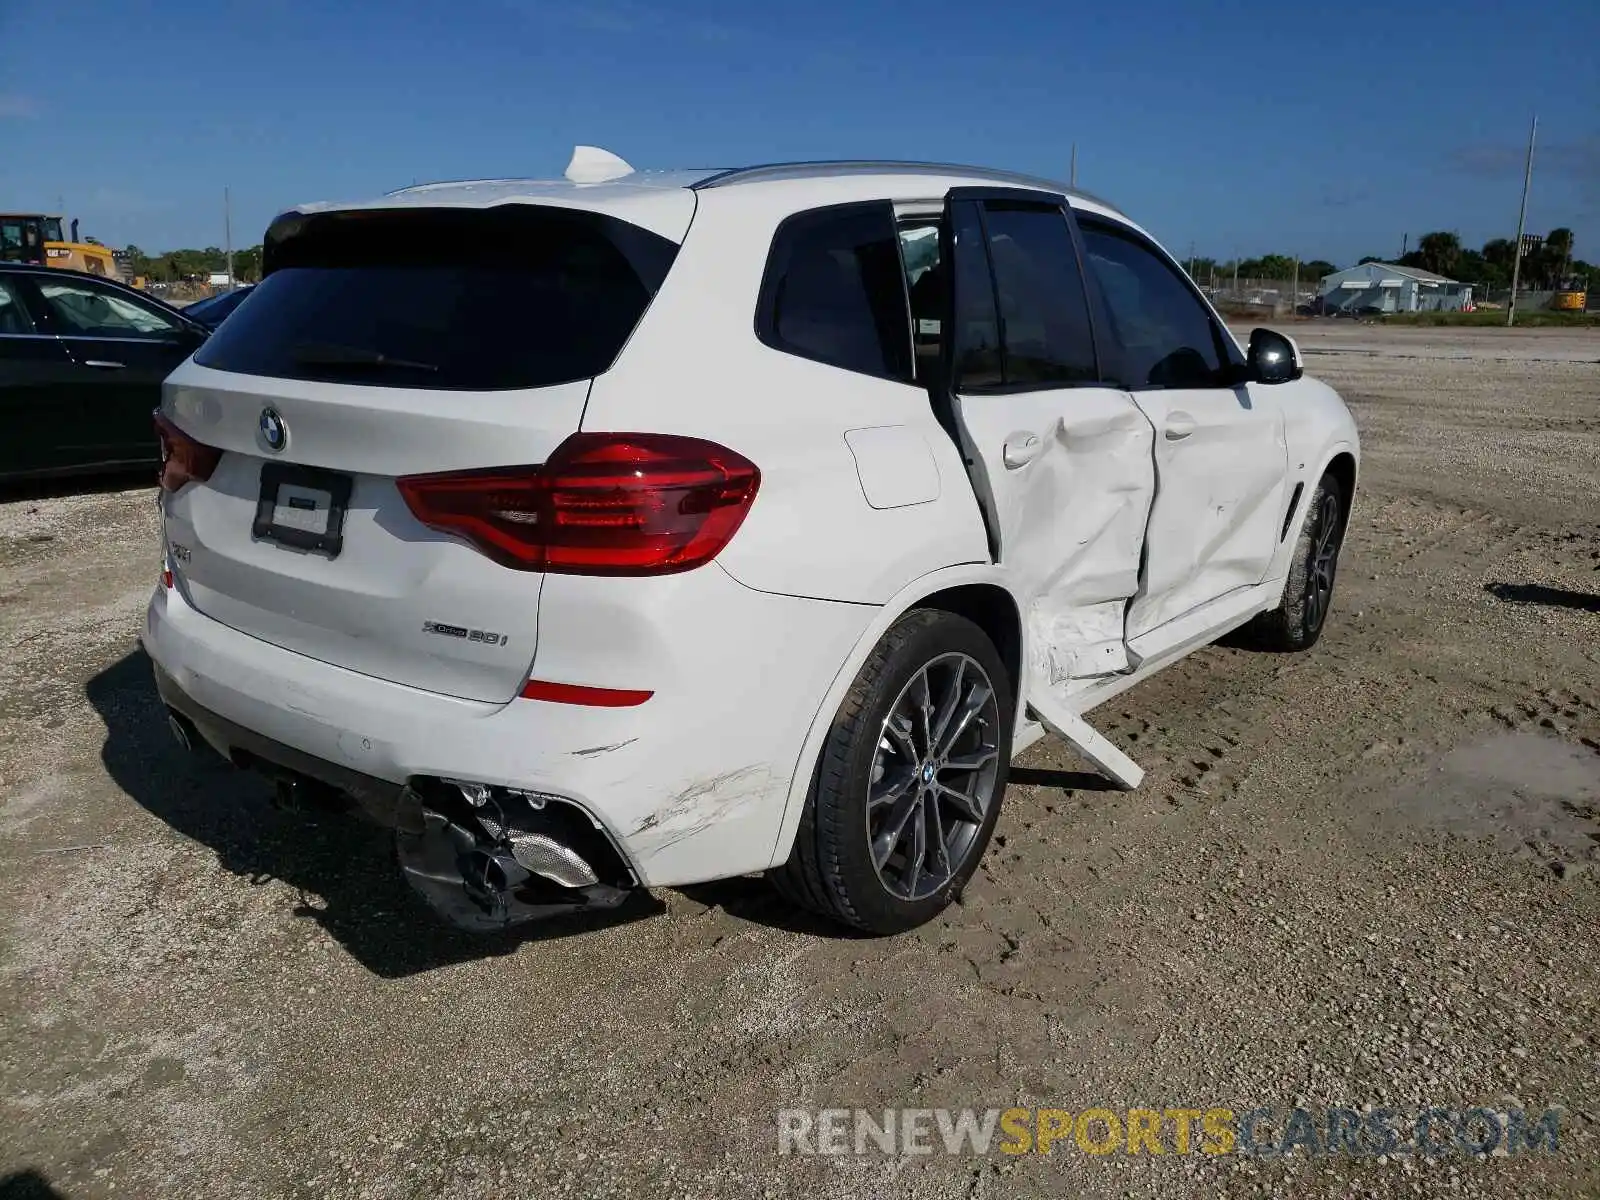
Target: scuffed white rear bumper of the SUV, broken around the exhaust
point(689, 786)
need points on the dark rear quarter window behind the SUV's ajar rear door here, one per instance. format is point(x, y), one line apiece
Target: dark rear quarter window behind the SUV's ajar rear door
point(836, 292)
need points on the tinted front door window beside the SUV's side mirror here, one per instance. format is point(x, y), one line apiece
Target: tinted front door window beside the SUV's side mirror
point(1167, 335)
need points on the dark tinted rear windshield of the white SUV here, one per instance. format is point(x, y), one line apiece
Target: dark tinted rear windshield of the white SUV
point(460, 300)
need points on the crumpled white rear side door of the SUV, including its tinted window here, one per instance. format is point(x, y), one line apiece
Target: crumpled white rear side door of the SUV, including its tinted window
point(1060, 460)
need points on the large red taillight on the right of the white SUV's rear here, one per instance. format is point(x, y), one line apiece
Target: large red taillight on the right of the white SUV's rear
point(602, 505)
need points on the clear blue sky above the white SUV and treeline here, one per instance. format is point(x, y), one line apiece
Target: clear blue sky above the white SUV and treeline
point(1238, 126)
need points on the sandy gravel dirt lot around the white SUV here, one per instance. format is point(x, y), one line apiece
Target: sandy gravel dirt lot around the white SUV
point(1366, 876)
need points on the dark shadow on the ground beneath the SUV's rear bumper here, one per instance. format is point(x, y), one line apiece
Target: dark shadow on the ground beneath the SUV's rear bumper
point(343, 868)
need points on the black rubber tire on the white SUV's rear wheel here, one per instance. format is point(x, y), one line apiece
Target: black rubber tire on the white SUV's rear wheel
point(831, 868)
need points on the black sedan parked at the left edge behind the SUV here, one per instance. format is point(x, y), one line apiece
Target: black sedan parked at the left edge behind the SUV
point(82, 361)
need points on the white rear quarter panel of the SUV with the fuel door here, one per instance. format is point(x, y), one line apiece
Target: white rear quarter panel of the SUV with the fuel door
point(695, 367)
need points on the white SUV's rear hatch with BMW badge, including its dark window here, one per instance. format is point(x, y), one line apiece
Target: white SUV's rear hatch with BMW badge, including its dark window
point(385, 345)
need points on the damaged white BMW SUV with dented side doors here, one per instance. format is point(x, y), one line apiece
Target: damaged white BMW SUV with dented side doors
point(650, 529)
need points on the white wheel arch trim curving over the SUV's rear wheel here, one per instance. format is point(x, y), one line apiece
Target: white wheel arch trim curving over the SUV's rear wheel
point(977, 593)
